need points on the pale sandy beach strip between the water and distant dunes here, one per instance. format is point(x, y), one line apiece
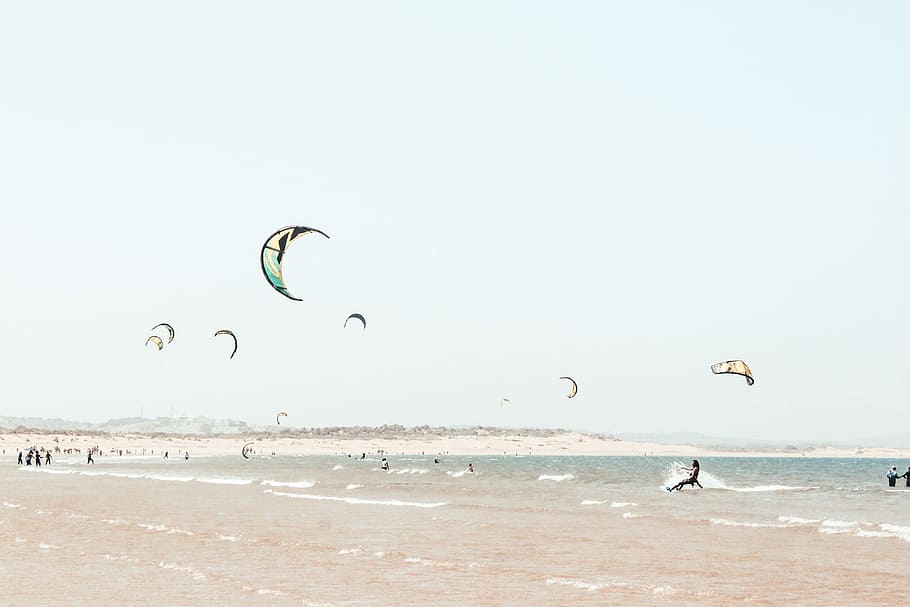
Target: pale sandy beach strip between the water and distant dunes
point(524, 444)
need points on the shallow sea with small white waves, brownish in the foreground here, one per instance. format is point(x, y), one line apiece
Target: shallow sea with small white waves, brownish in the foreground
point(333, 530)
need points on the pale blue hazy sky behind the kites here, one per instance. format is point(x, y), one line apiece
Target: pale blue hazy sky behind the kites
point(620, 192)
